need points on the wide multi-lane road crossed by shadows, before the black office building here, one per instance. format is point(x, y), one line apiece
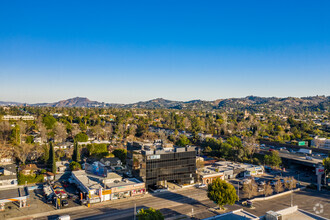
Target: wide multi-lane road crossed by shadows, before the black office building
point(185, 202)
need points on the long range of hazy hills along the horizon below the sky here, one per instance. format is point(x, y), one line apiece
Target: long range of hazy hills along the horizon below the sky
point(249, 102)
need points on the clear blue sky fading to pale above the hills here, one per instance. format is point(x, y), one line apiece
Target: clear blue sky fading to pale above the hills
point(128, 51)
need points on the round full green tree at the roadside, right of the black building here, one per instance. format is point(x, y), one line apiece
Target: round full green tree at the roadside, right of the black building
point(222, 193)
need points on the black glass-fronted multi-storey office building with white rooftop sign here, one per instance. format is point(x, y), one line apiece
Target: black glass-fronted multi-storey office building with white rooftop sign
point(157, 163)
